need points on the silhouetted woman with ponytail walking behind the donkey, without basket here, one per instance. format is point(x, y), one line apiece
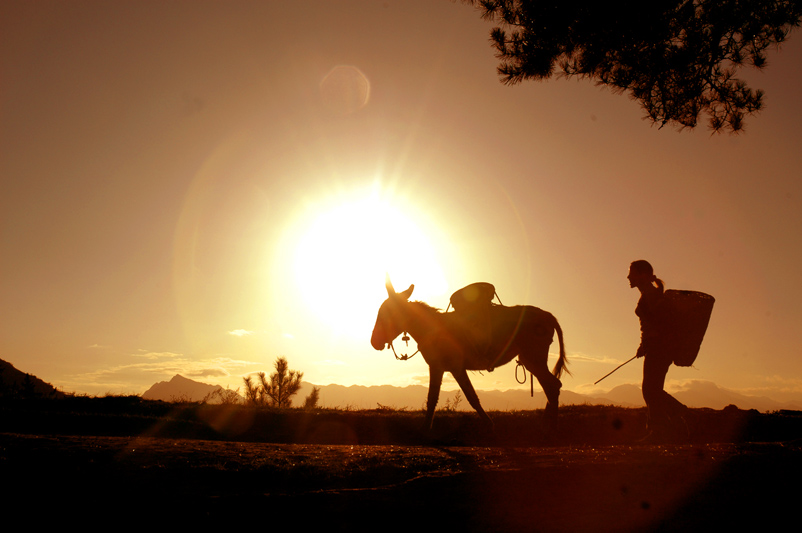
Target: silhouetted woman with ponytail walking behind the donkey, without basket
point(665, 413)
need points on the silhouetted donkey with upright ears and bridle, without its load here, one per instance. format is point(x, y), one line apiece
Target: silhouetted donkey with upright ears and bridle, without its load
point(447, 345)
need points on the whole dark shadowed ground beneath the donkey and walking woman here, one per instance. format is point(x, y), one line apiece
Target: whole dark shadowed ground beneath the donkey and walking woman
point(113, 462)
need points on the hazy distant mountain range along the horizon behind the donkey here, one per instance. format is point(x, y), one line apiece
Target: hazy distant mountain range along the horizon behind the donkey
point(695, 394)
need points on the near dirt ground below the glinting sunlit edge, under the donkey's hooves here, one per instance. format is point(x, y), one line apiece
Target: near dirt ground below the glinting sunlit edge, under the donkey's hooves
point(112, 481)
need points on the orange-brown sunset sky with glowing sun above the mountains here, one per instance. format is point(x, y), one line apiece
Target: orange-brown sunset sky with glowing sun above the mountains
point(200, 187)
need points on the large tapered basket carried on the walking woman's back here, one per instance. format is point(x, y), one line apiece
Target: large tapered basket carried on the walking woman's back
point(690, 312)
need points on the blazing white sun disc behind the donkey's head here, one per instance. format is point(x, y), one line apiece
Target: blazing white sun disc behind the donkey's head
point(346, 248)
